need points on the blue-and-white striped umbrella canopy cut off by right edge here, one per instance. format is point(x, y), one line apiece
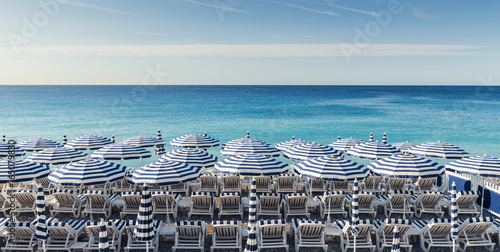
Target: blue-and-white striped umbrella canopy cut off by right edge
point(483, 166)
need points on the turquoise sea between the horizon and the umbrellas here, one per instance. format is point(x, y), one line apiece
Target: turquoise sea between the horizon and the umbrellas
point(464, 116)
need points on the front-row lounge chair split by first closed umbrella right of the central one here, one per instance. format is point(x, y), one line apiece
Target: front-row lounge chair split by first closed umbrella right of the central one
point(364, 238)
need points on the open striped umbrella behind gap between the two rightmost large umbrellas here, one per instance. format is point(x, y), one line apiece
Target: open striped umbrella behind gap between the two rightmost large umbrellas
point(439, 150)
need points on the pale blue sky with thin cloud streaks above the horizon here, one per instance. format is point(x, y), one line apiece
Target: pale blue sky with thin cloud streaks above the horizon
point(249, 42)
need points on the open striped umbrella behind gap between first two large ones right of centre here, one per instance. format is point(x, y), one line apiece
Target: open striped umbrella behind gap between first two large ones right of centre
point(373, 150)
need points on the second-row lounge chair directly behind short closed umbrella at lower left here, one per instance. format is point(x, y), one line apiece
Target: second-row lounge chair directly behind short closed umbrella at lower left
point(98, 202)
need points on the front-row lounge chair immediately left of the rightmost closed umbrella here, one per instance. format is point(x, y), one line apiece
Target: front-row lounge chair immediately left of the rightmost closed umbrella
point(434, 233)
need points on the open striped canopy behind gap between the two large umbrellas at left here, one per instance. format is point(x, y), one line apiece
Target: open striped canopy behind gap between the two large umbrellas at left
point(121, 151)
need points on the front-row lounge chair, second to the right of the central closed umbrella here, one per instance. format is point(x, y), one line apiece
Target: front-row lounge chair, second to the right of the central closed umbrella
point(309, 233)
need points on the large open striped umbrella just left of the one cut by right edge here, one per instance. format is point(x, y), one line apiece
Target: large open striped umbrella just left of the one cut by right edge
point(406, 166)
